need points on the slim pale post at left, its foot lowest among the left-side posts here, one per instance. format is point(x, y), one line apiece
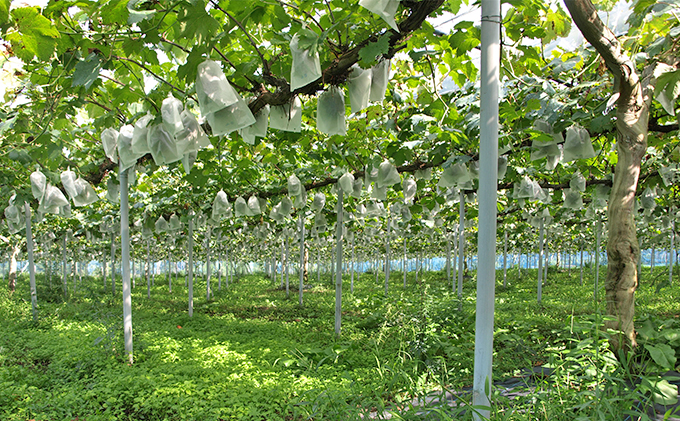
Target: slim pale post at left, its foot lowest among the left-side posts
point(125, 260)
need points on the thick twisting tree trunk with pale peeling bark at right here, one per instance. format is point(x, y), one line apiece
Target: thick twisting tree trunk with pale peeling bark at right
point(632, 116)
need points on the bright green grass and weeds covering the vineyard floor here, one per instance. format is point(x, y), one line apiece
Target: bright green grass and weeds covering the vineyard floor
point(251, 353)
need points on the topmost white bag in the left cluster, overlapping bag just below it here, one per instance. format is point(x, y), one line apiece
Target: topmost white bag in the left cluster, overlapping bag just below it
point(212, 88)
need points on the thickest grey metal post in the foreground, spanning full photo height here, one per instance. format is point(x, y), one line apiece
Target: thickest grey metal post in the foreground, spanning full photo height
point(488, 182)
